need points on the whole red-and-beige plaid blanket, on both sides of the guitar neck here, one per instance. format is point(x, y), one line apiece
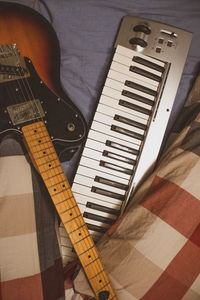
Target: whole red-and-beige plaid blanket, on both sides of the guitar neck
point(151, 253)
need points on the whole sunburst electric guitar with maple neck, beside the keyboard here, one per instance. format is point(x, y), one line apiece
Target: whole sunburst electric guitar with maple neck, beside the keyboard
point(34, 106)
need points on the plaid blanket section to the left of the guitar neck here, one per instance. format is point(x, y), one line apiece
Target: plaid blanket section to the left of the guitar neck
point(30, 262)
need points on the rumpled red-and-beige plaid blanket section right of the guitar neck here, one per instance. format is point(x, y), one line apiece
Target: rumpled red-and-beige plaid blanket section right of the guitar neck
point(153, 251)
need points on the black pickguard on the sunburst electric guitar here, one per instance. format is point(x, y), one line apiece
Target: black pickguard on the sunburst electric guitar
point(63, 120)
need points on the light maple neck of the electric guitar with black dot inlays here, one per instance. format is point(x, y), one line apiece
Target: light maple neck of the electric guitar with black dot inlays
point(46, 161)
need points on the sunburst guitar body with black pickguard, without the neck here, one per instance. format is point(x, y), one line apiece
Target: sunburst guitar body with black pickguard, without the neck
point(30, 86)
